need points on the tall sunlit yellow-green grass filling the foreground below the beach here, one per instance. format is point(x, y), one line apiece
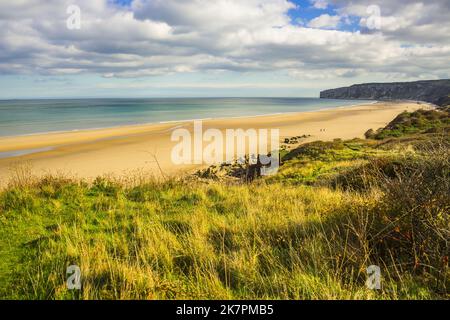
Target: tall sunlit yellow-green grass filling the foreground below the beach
point(184, 239)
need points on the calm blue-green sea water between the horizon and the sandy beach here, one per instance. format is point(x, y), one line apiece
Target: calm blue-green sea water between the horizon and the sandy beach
point(22, 117)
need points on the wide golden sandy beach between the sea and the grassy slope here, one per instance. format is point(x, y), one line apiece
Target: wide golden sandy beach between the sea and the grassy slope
point(147, 149)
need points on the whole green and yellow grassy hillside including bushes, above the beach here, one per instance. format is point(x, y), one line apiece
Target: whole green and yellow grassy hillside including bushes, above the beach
point(308, 232)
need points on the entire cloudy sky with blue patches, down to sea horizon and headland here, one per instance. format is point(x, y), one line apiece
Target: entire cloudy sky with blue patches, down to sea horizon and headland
point(166, 48)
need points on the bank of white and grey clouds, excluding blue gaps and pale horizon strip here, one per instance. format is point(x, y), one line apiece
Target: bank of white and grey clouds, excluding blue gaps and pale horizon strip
point(156, 37)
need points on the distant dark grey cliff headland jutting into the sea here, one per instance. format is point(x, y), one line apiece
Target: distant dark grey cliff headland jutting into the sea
point(434, 91)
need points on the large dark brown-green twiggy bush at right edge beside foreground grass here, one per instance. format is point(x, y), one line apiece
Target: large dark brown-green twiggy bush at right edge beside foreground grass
point(409, 227)
